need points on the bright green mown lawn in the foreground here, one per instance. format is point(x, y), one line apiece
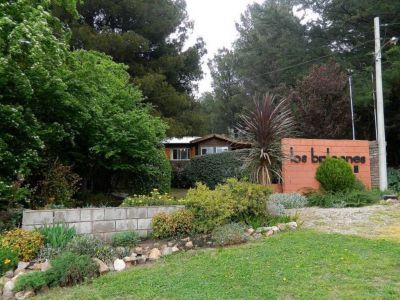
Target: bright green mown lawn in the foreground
point(293, 265)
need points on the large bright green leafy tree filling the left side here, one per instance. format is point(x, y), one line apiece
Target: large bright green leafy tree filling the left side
point(77, 106)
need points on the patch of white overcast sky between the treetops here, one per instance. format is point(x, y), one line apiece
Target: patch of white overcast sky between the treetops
point(214, 21)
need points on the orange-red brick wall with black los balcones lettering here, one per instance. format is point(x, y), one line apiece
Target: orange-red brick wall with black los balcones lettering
point(303, 157)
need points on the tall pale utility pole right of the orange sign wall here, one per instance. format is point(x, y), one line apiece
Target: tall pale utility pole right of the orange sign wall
point(380, 109)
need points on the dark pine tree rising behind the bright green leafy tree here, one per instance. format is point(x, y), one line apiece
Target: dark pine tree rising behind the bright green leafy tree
point(148, 36)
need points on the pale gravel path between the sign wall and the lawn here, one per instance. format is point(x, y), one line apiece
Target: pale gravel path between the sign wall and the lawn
point(377, 221)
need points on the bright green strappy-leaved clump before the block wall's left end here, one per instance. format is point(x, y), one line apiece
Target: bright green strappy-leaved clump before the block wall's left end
point(57, 235)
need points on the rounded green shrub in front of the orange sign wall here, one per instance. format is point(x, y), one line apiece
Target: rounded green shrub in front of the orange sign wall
point(335, 175)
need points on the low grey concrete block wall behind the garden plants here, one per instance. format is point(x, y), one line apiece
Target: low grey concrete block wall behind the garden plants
point(102, 222)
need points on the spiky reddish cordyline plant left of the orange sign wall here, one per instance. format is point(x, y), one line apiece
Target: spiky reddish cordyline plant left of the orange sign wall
point(264, 126)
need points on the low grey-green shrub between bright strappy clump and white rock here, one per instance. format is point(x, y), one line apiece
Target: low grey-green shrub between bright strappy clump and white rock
point(91, 246)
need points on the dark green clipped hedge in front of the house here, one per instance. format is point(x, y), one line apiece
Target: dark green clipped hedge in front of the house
point(214, 169)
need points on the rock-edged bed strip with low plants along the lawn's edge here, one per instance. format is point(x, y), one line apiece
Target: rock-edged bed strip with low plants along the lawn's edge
point(145, 252)
